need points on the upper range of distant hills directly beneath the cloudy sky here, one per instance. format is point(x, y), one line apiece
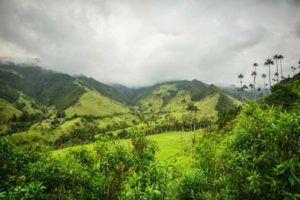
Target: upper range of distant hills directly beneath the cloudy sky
point(81, 95)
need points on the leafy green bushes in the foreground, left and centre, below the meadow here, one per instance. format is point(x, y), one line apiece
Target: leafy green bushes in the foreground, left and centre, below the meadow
point(112, 173)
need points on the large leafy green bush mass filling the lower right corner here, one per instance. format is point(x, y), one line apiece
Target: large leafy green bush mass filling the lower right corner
point(258, 160)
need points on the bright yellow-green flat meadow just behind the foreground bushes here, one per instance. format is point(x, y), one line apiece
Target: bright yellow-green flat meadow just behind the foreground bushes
point(173, 147)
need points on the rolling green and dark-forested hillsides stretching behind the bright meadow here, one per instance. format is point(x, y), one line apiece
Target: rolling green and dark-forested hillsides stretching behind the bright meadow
point(66, 104)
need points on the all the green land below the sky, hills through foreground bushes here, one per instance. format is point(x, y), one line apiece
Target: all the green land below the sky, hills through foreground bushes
point(242, 150)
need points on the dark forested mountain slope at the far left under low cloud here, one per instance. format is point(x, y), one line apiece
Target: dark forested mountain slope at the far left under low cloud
point(47, 87)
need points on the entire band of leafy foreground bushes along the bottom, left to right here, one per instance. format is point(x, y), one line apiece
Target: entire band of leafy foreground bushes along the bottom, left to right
point(255, 155)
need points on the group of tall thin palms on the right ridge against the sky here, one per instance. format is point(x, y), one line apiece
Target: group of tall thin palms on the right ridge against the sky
point(278, 76)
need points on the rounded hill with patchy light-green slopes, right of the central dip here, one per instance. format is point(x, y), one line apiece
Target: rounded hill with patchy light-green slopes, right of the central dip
point(167, 103)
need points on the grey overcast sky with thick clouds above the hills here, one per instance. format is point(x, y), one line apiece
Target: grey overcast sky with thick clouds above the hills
point(141, 42)
